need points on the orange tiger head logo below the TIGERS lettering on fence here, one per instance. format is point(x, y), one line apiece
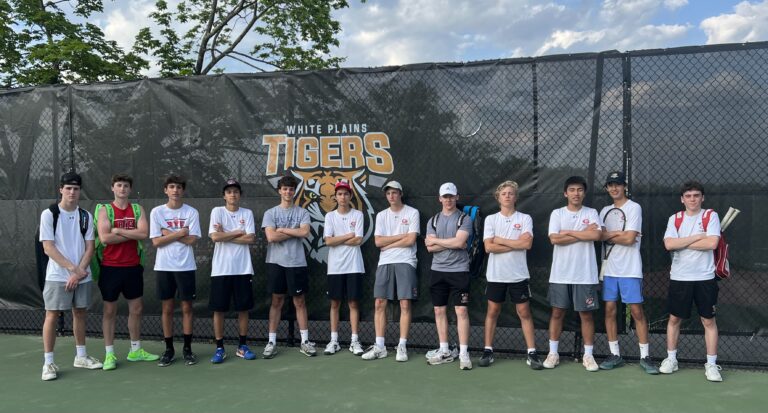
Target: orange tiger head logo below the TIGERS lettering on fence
point(315, 193)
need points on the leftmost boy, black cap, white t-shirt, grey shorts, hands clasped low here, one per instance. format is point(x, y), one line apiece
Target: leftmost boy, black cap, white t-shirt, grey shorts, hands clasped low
point(68, 276)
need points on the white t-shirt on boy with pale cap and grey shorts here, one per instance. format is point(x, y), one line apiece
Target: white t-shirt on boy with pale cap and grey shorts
point(389, 223)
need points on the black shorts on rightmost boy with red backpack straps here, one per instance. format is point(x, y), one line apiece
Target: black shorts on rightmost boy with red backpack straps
point(684, 293)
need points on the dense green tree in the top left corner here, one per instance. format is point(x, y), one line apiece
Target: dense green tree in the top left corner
point(40, 45)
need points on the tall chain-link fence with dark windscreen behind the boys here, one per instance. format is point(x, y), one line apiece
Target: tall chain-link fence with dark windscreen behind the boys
point(661, 116)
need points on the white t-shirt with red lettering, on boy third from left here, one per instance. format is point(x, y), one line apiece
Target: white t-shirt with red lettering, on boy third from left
point(175, 256)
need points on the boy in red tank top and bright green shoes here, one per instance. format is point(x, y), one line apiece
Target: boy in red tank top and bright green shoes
point(122, 228)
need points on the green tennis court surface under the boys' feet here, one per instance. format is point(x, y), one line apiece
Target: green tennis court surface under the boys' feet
point(292, 382)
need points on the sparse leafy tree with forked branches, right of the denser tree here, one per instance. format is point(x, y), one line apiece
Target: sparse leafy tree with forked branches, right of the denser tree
point(263, 34)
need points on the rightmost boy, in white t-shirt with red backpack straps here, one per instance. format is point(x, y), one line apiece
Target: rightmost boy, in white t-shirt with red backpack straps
point(692, 277)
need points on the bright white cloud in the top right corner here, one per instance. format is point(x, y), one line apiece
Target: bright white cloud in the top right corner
point(748, 23)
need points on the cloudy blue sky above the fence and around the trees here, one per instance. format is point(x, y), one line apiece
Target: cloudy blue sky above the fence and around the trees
point(398, 32)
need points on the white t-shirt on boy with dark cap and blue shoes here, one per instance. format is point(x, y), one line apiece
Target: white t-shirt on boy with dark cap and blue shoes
point(230, 258)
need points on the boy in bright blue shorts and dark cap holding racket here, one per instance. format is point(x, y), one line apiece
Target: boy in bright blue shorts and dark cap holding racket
point(623, 273)
